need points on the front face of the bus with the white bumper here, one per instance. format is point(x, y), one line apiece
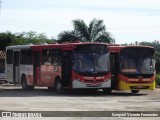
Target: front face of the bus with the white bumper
point(91, 67)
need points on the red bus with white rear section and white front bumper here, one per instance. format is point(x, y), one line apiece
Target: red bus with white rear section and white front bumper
point(58, 66)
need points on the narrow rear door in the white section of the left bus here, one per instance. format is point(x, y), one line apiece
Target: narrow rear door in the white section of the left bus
point(16, 67)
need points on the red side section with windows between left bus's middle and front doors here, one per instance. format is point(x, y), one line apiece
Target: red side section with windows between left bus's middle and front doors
point(50, 67)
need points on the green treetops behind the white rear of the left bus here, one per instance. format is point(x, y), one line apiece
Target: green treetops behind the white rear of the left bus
point(22, 38)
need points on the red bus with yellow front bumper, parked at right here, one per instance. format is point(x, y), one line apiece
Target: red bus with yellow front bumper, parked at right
point(132, 68)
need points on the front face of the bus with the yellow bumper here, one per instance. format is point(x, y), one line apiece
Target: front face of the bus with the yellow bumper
point(137, 69)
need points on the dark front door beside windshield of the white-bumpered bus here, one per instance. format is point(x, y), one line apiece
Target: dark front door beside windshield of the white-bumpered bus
point(66, 68)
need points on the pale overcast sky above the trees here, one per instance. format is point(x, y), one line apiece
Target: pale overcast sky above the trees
point(126, 20)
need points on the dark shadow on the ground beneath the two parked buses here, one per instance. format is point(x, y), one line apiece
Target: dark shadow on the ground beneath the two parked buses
point(18, 92)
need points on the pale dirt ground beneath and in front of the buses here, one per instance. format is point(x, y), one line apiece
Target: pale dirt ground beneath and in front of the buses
point(13, 98)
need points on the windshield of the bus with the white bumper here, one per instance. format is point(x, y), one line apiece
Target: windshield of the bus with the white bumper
point(91, 62)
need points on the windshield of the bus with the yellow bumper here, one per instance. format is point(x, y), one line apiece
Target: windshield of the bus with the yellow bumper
point(134, 64)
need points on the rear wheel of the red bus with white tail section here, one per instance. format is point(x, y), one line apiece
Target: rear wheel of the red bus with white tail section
point(24, 84)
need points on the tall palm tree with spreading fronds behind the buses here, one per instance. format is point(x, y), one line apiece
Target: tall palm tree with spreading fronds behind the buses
point(95, 32)
